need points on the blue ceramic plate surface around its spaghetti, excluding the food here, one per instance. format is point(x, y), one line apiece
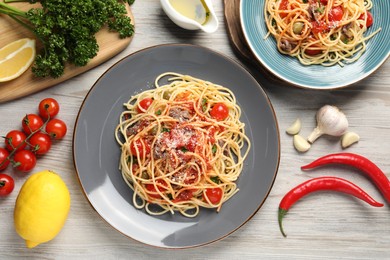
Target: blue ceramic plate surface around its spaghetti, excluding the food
point(315, 76)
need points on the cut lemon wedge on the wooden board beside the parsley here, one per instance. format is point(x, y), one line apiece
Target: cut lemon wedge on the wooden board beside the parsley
point(15, 58)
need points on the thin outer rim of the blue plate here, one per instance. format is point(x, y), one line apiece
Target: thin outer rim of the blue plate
point(297, 84)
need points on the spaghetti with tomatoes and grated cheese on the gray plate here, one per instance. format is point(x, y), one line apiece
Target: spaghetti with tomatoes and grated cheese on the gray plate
point(183, 145)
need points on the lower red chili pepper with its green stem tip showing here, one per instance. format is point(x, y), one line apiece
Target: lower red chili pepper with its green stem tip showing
point(318, 184)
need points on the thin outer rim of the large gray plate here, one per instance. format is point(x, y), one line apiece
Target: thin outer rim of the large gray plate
point(227, 58)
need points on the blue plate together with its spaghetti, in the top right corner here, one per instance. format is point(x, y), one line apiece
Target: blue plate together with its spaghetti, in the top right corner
point(317, 44)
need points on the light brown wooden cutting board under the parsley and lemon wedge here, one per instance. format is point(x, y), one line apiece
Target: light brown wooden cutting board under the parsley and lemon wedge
point(109, 45)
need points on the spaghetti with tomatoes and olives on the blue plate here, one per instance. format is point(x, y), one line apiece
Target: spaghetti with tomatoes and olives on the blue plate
point(325, 32)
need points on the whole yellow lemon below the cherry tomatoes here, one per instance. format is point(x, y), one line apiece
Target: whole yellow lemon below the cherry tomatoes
point(41, 208)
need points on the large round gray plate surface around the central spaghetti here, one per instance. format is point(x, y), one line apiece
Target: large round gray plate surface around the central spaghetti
point(96, 153)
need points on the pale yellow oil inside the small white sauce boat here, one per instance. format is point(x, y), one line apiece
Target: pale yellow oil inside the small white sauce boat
point(196, 10)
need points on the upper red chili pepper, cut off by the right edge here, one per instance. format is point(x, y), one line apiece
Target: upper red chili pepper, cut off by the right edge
point(359, 162)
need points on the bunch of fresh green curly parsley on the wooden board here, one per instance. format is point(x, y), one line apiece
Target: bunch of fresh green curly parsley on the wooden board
point(67, 29)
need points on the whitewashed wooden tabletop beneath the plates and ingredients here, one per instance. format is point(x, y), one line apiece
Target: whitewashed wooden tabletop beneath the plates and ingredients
point(321, 226)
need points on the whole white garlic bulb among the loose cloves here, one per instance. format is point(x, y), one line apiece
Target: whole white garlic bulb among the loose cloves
point(330, 121)
